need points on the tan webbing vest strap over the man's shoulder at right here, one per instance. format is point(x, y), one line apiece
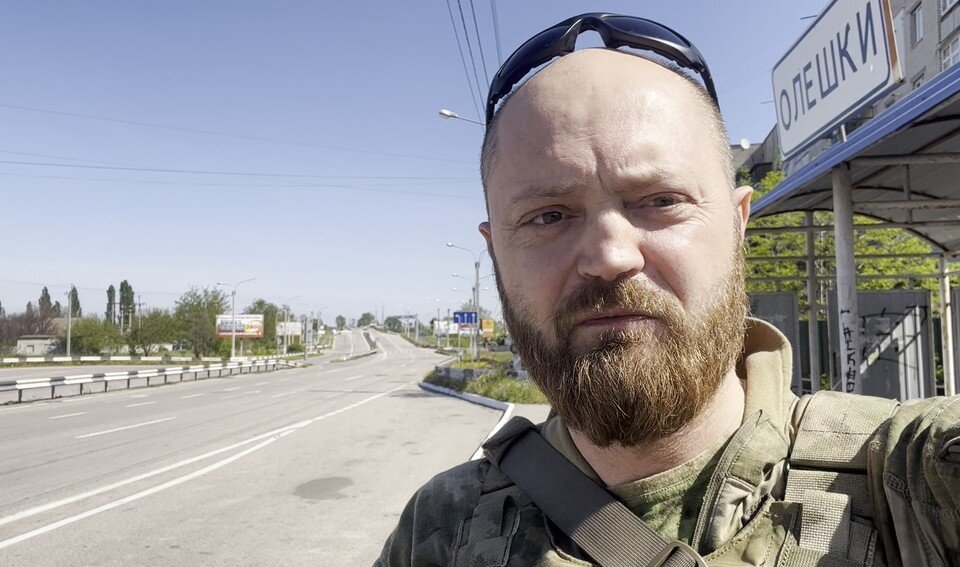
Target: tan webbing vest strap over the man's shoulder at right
point(828, 473)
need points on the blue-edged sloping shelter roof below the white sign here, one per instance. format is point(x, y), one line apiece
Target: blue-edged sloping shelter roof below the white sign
point(920, 132)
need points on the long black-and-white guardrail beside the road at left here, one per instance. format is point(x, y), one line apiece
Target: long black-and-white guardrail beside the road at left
point(105, 379)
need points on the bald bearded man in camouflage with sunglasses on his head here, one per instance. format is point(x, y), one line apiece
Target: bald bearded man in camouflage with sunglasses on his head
point(617, 234)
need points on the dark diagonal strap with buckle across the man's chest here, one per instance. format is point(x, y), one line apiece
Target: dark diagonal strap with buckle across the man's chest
point(601, 525)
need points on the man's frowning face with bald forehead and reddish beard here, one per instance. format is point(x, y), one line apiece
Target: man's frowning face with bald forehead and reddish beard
point(616, 237)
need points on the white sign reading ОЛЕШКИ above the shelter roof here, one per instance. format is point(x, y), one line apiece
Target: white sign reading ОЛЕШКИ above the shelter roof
point(845, 61)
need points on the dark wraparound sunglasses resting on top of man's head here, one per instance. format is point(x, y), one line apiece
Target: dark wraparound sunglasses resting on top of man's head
point(615, 30)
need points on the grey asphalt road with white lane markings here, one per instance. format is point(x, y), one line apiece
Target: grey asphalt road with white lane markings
point(308, 466)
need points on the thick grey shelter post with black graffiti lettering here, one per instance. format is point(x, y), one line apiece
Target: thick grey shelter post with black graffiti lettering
point(848, 314)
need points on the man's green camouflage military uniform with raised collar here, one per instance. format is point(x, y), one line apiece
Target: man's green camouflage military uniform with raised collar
point(829, 479)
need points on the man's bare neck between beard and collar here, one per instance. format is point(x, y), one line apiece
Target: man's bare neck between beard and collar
point(718, 420)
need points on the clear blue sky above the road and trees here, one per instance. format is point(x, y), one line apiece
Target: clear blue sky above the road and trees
point(336, 102)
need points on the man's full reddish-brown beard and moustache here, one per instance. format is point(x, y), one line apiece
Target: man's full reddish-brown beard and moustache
point(635, 386)
